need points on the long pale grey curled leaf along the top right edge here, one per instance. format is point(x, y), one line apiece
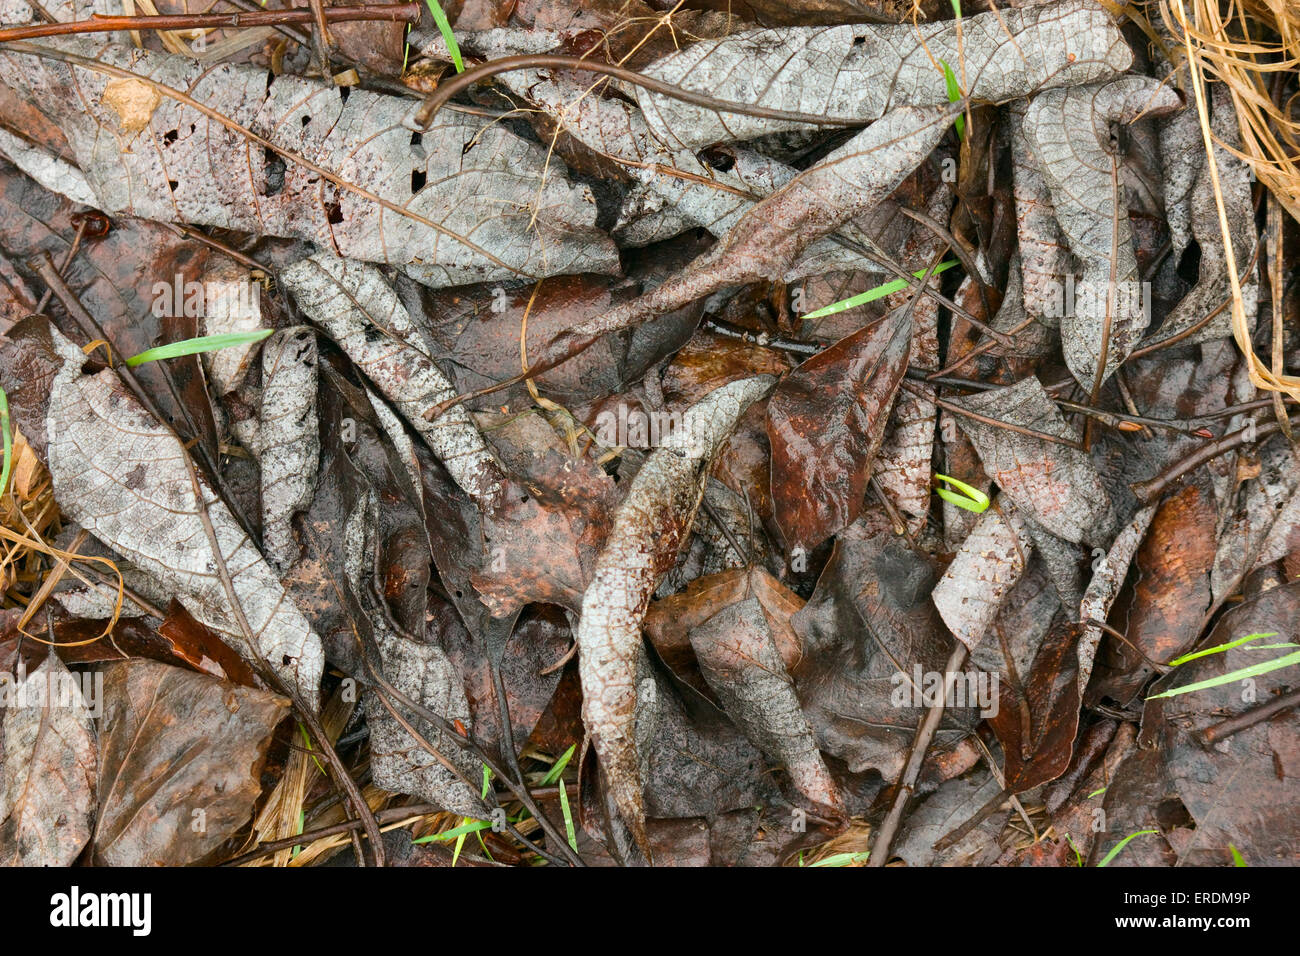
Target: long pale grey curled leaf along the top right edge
point(861, 72)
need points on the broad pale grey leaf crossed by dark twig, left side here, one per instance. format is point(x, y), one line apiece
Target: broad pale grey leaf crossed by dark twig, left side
point(125, 479)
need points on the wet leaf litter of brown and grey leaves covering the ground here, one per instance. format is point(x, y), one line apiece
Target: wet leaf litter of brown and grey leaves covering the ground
point(609, 417)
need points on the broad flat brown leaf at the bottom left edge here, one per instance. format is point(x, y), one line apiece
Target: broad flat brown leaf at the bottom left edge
point(177, 749)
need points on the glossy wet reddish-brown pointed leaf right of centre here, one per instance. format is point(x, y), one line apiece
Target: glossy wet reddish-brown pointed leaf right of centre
point(826, 422)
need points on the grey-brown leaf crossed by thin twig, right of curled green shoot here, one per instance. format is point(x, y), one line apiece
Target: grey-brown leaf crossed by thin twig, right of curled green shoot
point(1056, 485)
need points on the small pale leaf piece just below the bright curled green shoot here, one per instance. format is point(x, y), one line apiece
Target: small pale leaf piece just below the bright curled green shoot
point(986, 569)
